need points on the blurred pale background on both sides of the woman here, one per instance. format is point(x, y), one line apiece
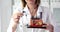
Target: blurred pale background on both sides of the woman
point(8, 6)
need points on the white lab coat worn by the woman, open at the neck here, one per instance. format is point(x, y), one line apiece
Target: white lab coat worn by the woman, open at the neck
point(21, 27)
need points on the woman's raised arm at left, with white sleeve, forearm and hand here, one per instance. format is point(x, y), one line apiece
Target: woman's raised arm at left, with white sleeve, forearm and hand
point(14, 22)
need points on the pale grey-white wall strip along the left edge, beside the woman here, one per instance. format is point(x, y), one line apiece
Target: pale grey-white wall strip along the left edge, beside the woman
point(5, 13)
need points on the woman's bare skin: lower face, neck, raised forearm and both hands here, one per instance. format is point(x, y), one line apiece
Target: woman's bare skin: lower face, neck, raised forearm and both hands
point(31, 4)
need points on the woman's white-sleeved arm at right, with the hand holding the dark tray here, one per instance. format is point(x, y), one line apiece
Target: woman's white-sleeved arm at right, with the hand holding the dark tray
point(49, 19)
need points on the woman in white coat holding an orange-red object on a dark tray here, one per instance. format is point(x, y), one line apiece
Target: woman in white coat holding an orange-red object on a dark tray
point(30, 8)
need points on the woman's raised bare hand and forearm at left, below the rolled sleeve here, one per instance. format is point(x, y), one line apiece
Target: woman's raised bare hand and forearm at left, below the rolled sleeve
point(16, 18)
